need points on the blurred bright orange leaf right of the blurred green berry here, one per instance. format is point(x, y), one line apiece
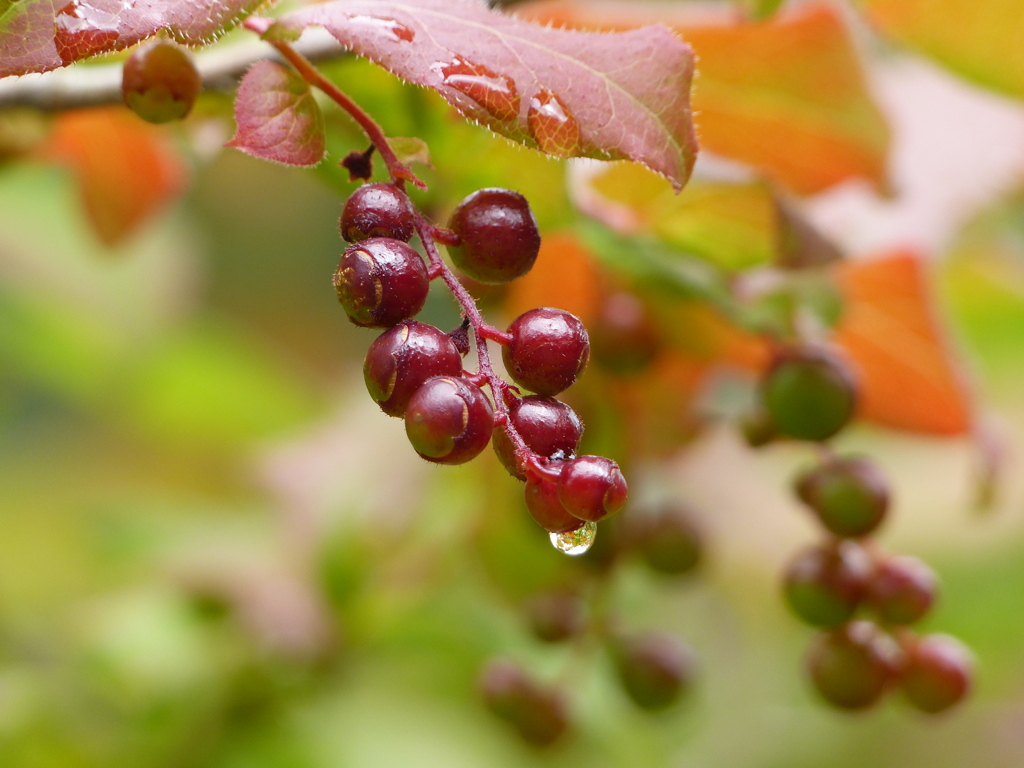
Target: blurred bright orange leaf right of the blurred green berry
point(910, 378)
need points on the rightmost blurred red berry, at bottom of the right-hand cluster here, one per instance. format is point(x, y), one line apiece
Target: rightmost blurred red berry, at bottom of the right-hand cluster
point(937, 673)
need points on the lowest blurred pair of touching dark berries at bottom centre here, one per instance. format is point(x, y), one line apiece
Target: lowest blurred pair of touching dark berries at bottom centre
point(538, 714)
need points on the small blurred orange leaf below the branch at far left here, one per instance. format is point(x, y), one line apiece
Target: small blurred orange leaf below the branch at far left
point(126, 169)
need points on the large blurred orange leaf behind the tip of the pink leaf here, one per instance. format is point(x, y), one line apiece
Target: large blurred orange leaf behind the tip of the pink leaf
point(788, 96)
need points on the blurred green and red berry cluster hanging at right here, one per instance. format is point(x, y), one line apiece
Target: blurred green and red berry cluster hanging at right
point(810, 396)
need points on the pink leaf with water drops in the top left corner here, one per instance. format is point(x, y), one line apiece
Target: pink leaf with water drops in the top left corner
point(42, 35)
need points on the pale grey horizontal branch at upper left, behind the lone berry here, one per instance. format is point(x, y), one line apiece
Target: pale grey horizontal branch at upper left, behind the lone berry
point(91, 87)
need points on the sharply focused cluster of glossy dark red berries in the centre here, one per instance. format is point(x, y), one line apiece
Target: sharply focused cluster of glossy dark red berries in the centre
point(415, 371)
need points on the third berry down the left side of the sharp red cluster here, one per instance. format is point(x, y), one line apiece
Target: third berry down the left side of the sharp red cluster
point(405, 357)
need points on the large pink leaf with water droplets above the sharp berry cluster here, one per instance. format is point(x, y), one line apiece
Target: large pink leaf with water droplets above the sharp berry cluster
point(623, 96)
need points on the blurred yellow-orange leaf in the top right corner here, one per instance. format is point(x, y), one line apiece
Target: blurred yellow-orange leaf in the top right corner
point(980, 40)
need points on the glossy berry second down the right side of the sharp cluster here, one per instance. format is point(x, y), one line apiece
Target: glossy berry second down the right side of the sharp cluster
point(548, 351)
